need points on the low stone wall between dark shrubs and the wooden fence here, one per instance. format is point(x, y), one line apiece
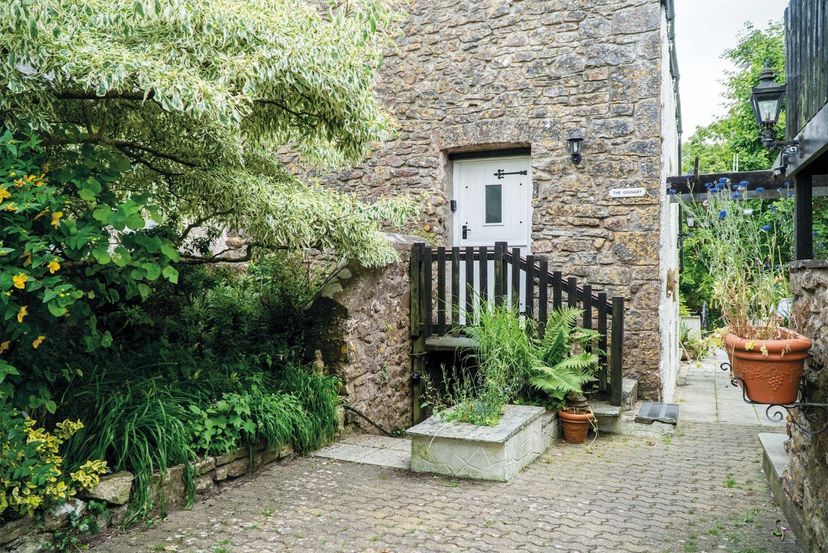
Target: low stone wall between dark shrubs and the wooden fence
point(361, 330)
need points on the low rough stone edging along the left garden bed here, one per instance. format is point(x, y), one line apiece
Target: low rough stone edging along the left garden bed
point(32, 535)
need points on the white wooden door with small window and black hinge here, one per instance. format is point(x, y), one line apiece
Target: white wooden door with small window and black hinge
point(494, 204)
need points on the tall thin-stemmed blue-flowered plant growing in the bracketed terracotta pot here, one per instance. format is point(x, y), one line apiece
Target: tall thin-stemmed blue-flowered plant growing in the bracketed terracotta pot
point(744, 254)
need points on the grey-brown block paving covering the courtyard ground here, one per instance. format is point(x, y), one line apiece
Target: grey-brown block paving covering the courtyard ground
point(701, 491)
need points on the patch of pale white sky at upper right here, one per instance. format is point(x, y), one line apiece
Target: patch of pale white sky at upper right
point(704, 30)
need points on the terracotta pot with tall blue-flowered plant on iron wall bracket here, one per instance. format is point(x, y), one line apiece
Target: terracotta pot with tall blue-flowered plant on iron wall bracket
point(745, 244)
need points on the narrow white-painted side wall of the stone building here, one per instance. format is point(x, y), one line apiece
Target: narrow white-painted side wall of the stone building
point(668, 317)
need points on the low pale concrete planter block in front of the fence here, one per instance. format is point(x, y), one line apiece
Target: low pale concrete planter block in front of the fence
point(481, 452)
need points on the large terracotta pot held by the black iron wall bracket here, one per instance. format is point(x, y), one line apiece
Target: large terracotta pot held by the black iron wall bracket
point(771, 378)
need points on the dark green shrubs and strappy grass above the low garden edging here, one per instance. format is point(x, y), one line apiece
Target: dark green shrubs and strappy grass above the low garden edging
point(202, 367)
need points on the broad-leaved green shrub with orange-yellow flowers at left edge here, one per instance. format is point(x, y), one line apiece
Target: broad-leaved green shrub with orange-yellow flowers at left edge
point(69, 247)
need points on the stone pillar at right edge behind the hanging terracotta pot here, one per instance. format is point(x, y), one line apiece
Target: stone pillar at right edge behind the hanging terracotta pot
point(806, 478)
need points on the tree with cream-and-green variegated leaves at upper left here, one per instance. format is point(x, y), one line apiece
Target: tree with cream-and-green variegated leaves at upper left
point(204, 97)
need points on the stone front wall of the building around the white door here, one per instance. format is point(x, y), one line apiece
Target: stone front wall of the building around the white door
point(471, 75)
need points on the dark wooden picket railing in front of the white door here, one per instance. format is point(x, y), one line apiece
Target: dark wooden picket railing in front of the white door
point(449, 286)
